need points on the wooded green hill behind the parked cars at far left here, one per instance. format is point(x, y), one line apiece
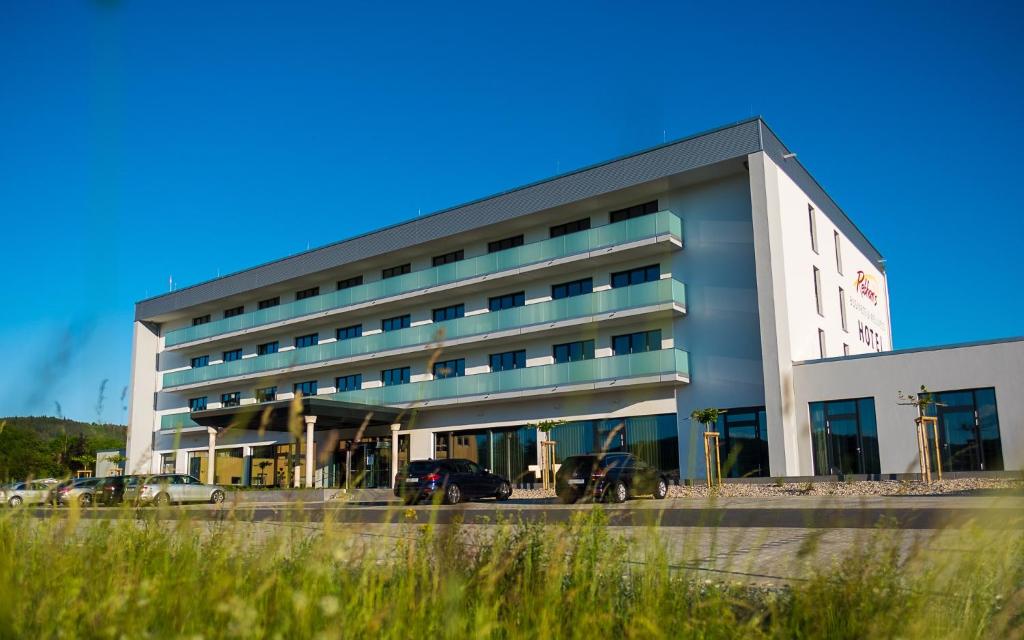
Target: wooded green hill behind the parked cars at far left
point(44, 447)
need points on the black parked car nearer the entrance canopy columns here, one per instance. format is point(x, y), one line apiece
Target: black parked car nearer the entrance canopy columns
point(452, 481)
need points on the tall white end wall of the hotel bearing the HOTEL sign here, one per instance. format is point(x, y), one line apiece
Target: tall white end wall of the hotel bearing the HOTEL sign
point(789, 314)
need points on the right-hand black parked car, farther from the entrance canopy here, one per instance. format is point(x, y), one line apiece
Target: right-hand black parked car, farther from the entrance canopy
point(612, 477)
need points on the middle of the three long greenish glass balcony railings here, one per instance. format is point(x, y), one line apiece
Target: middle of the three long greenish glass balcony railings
point(636, 296)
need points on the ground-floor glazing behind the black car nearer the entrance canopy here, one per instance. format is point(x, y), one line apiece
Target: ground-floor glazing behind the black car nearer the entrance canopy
point(508, 452)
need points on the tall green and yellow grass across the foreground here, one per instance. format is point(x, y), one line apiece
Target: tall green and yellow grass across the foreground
point(66, 578)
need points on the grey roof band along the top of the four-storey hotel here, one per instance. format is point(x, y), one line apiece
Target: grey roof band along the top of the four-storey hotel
point(729, 143)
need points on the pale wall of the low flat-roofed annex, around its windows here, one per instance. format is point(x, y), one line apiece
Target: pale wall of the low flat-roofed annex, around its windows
point(999, 365)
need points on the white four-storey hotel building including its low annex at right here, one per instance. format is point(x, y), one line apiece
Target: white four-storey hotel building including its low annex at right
point(611, 303)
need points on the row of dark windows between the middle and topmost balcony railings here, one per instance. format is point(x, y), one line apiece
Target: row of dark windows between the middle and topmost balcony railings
point(455, 312)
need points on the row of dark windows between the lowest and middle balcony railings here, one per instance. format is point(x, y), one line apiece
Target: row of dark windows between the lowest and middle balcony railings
point(568, 353)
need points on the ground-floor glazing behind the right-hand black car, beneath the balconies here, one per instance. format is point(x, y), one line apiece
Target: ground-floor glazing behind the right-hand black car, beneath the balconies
point(652, 439)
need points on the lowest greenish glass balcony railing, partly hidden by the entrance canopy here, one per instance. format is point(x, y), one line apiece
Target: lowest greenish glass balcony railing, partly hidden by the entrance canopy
point(663, 363)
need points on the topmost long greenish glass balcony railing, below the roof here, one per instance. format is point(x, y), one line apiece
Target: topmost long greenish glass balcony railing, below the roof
point(661, 224)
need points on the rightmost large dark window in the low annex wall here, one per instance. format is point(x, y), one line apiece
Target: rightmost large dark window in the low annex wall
point(969, 430)
